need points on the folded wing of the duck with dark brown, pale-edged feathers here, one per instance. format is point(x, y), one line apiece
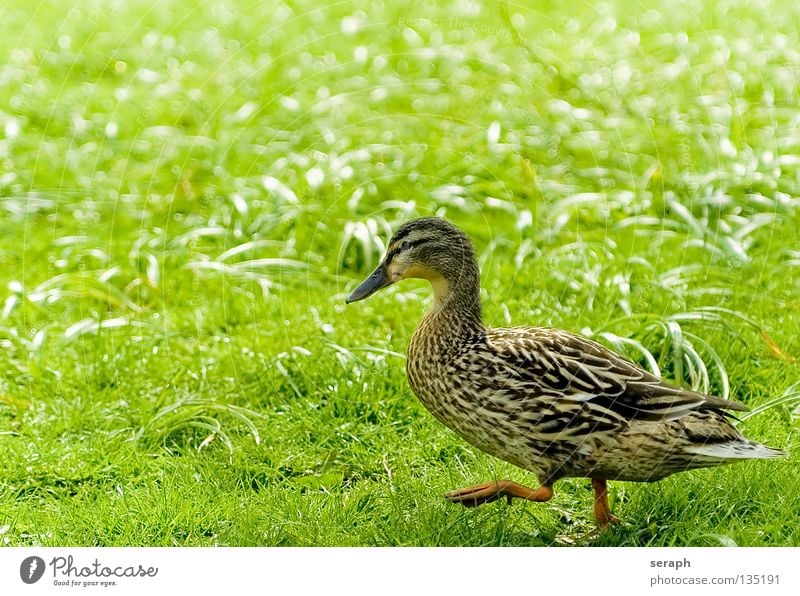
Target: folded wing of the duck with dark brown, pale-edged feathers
point(572, 368)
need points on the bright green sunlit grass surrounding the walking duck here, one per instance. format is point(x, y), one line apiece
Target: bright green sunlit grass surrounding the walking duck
point(189, 191)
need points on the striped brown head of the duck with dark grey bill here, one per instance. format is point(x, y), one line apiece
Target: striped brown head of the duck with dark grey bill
point(428, 248)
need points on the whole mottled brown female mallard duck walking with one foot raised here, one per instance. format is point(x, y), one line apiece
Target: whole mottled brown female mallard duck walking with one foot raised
point(546, 400)
